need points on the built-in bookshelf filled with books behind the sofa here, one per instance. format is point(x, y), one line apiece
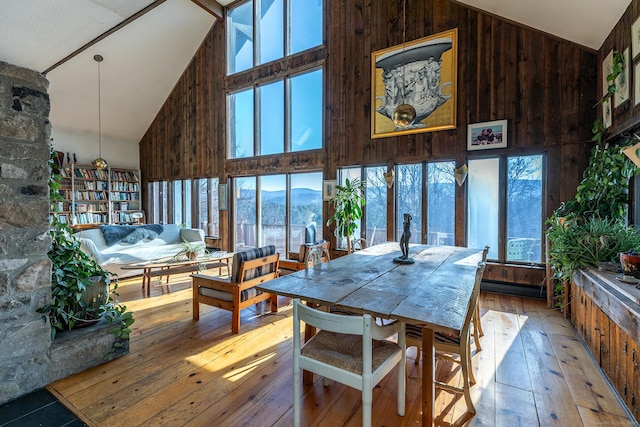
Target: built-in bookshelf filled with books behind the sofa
point(92, 196)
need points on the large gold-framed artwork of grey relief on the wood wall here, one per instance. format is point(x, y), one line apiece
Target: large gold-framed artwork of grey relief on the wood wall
point(414, 86)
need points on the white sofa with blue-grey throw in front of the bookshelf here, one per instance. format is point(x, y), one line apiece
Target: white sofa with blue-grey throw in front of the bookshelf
point(115, 245)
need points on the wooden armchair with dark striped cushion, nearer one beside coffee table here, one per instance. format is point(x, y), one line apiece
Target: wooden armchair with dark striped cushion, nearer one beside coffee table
point(250, 268)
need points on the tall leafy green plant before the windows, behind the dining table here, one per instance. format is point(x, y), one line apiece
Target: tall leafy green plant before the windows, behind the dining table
point(348, 202)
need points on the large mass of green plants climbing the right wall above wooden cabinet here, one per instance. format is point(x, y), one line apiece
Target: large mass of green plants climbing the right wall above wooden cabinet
point(591, 228)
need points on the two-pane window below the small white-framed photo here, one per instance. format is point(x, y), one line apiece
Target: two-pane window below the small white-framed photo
point(520, 222)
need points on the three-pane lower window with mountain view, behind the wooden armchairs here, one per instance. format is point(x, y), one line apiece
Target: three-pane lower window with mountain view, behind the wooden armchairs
point(263, 204)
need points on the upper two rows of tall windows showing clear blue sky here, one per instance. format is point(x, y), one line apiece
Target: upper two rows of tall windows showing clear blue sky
point(282, 114)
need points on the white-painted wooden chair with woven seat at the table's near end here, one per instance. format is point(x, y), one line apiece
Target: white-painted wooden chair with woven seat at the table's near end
point(343, 351)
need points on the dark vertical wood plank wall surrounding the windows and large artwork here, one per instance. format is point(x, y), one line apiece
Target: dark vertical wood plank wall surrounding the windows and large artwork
point(544, 86)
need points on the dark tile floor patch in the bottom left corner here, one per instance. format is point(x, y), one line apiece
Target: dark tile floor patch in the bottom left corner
point(37, 409)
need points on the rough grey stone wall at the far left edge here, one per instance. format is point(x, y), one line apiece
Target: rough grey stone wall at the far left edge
point(25, 270)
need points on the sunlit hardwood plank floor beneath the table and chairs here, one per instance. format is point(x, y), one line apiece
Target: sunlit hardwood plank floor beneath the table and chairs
point(533, 370)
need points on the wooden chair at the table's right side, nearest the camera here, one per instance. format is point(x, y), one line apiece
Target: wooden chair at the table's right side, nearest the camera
point(448, 346)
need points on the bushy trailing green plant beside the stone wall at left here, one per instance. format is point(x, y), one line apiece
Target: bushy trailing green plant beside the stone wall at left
point(82, 292)
